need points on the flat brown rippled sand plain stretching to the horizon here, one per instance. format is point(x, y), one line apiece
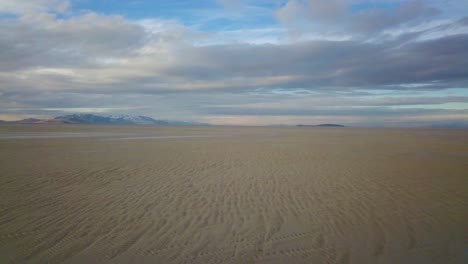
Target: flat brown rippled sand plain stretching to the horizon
point(89, 194)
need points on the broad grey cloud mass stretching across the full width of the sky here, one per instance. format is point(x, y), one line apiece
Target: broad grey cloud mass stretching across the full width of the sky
point(71, 54)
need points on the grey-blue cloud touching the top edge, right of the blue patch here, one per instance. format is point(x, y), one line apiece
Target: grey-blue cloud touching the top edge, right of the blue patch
point(342, 16)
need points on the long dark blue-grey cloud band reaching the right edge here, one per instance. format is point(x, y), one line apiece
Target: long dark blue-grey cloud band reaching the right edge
point(325, 64)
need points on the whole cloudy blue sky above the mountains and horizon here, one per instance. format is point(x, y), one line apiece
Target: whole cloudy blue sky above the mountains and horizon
point(372, 63)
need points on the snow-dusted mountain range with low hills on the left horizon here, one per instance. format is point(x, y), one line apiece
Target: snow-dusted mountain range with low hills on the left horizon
point(105, 120)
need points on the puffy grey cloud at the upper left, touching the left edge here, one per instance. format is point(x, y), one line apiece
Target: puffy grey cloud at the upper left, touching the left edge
point(43, 40)
